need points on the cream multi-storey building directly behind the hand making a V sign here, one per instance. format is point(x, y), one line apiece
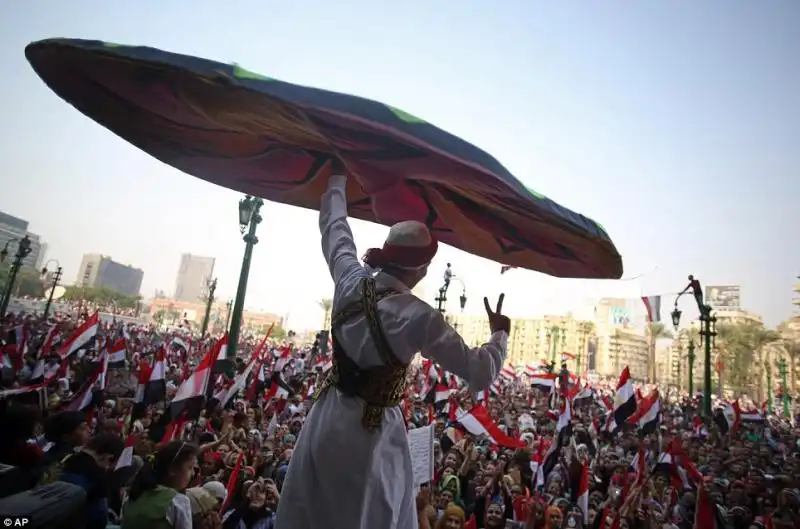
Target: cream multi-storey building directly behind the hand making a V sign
point(532, 341)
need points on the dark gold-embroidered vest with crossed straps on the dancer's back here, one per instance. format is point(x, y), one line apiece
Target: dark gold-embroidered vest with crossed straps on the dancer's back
point(380, 387)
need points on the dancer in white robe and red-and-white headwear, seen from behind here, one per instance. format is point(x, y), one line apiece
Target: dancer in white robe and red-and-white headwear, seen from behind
point(351, 466)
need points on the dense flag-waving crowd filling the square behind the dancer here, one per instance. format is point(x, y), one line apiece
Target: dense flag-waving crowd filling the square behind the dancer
point(156, 435)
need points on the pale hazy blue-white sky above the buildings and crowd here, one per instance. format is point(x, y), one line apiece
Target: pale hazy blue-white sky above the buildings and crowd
point(675, 124)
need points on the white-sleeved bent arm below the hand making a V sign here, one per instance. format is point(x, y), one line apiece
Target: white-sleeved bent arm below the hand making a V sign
point(479, 366)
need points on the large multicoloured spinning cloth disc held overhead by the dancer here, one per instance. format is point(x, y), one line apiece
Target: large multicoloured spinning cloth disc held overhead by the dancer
point(275, 140)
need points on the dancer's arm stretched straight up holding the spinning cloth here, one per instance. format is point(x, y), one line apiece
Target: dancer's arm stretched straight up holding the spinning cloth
point(337, 238)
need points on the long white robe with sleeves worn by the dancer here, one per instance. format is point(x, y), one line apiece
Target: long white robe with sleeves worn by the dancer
point(342, 476)
